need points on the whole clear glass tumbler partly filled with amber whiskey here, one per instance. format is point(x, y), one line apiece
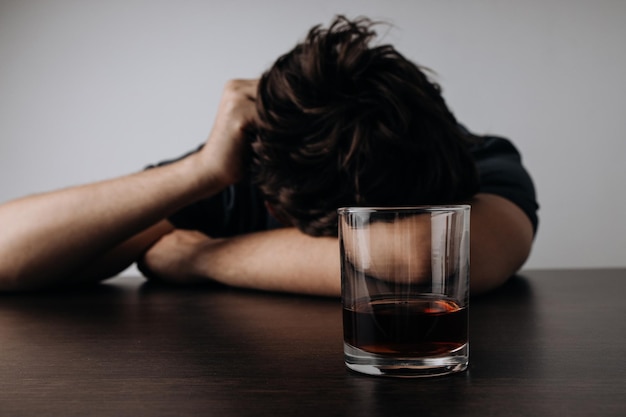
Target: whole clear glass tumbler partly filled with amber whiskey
point(405, 289)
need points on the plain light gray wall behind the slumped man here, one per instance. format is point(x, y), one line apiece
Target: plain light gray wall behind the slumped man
point(94, 89)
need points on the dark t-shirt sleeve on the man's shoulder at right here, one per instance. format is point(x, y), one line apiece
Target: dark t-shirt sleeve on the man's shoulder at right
point(502, 173)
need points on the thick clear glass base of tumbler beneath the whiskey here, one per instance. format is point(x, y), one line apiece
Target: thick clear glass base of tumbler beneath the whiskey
point(412, 367)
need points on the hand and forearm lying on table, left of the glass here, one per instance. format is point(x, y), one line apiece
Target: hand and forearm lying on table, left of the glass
point(284, 260)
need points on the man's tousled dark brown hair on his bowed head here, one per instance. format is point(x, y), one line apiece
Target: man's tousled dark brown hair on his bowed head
point(343, 123)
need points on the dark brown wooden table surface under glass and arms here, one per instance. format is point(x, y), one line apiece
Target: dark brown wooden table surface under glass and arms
point(549, 343)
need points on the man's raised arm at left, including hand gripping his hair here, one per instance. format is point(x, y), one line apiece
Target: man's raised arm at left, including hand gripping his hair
point(91, 232)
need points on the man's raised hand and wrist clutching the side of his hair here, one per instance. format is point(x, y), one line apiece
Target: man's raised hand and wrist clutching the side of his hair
point(225, 155)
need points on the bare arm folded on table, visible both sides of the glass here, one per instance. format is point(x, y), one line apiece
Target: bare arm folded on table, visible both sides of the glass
point(286, 260)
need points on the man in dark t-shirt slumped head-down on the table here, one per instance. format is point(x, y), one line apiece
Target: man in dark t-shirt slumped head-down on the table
point(335, 122)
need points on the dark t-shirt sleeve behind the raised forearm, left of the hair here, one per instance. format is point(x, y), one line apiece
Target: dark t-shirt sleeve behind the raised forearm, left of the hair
point(235, 210)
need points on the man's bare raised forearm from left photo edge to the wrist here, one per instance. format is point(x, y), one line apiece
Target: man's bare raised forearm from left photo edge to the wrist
point(49, 238)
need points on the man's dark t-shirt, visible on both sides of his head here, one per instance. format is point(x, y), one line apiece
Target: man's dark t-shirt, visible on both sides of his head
point(240, 208)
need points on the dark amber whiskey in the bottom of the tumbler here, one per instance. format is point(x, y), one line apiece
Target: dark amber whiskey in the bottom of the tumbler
point(424, 326)
